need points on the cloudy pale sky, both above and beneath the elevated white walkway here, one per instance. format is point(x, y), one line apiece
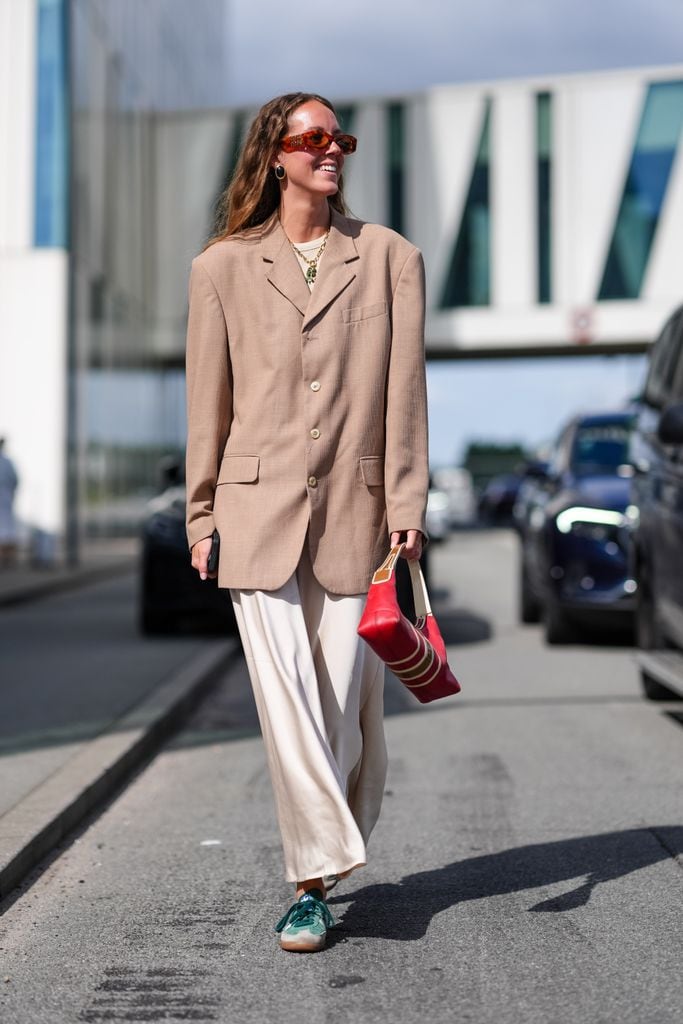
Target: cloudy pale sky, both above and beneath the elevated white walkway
point(389, 48)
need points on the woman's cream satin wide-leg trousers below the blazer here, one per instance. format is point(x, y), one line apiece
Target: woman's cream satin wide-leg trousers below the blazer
point(319, 692)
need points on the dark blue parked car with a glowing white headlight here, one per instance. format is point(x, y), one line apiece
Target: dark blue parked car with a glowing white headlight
point(575, 538)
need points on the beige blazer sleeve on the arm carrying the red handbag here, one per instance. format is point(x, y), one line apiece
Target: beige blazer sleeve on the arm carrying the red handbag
point(407, 460)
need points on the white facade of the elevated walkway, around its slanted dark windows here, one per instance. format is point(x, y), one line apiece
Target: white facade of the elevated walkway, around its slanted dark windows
point(594, 126)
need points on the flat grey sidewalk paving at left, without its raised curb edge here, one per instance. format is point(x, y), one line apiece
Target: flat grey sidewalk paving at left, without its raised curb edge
point(70, 667)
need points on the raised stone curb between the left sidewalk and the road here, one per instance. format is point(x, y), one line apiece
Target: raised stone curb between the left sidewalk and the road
point(46, 817)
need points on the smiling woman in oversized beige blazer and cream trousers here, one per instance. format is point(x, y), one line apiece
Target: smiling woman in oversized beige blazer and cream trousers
point(308, 450)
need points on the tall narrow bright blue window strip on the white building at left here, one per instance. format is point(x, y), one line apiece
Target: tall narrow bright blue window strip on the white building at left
point(52, 190)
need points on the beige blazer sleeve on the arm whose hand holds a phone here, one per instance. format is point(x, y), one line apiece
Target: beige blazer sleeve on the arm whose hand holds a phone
point(209, 401)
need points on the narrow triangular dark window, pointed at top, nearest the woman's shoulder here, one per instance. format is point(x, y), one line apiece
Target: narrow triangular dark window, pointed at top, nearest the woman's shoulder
point(467, 282)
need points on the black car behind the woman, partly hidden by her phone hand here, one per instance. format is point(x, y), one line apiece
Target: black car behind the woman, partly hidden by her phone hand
point(172, 595)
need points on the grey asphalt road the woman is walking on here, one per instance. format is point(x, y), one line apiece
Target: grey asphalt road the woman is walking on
point(527, 868)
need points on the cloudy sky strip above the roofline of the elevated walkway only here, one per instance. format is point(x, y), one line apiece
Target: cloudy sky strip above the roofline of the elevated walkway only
point(368, 48)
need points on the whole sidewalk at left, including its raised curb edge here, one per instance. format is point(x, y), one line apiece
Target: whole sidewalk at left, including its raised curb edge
point(87, 700)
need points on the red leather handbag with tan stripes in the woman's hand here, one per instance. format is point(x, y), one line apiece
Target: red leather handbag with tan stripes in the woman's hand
point(416, 654)
